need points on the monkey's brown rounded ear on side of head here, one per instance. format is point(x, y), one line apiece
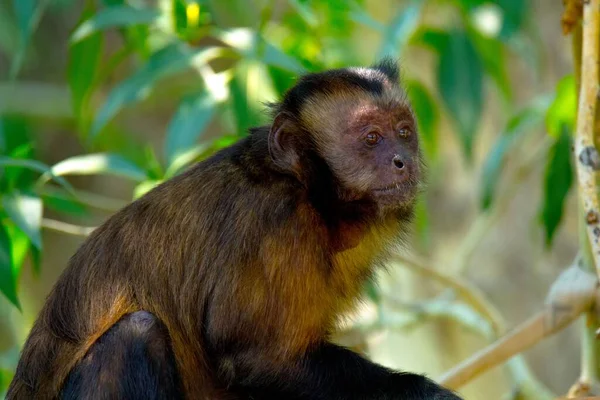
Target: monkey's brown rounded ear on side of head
point(283, 143)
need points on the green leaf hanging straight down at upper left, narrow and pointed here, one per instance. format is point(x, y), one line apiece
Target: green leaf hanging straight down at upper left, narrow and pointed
point(83, 65)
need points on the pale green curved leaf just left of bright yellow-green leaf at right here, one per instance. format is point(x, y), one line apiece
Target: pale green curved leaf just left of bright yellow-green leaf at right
point(518, 125)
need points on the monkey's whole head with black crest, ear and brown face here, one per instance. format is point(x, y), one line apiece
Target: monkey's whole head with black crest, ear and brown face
point(357, 126)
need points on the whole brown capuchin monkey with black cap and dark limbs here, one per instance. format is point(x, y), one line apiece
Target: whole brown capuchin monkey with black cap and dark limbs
point(227, 281)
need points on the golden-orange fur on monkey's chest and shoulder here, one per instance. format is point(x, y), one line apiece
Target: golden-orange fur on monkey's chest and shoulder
point(300, 291)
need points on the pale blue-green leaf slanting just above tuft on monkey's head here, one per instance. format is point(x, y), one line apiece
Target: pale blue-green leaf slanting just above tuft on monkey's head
point(399, 31)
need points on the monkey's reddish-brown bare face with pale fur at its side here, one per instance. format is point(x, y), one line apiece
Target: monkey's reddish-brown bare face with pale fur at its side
point(374, 153)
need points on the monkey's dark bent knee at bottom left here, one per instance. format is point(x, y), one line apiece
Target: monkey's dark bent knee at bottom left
point(132, 360)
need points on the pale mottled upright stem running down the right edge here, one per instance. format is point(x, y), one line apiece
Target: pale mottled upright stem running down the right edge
point(588, 159)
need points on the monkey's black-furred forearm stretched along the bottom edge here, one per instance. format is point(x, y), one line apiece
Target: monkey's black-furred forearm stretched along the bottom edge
point(332, 372)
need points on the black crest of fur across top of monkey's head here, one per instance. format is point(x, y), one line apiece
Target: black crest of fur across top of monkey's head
point(332, 80)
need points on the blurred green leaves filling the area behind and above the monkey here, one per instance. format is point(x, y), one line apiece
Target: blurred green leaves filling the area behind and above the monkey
point(215, 62)
